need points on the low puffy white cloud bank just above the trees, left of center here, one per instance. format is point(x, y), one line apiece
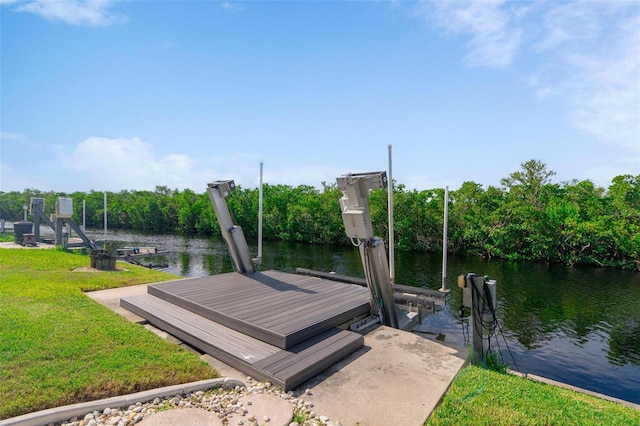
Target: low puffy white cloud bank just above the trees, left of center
point(129, 163)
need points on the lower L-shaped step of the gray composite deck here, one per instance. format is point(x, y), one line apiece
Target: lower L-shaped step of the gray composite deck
point(263, 361)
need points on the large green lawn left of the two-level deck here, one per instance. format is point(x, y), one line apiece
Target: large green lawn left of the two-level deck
point(58, 346)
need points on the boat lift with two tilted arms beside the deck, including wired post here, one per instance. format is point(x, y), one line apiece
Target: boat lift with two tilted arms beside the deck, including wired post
point(398, 306)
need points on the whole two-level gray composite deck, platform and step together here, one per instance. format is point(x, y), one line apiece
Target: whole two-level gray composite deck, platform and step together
point(275, 326)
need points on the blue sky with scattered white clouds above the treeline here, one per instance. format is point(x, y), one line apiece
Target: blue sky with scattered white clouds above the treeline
point(104, 95)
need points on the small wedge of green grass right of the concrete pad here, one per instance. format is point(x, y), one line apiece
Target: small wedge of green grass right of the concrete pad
point(482, 397)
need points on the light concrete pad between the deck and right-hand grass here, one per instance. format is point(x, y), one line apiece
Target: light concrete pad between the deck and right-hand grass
point(397, 378)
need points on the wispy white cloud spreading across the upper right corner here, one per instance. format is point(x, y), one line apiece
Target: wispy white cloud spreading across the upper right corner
point(588, 52)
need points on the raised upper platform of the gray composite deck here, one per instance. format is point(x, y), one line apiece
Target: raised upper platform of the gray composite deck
point(279, 308)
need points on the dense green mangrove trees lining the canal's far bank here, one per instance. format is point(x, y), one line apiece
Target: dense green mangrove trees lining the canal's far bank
point(527, 218)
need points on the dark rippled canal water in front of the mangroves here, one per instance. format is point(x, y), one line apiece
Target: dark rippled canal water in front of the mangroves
point(579, 326)
